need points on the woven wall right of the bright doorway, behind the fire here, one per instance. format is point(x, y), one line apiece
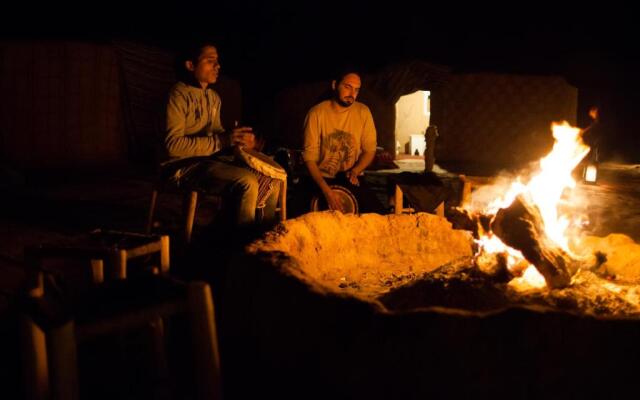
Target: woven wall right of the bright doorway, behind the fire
point(504, 120)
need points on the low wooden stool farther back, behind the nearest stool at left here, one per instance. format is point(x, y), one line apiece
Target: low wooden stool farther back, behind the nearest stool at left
point(114, 247)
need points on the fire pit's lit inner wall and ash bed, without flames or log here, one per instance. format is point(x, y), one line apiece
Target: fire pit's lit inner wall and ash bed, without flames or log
point(407, 262)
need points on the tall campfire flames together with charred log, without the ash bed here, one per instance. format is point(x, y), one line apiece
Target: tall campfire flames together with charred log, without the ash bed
point(524, 226)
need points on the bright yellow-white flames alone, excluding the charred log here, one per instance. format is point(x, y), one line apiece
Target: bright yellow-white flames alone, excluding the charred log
point(544, 189)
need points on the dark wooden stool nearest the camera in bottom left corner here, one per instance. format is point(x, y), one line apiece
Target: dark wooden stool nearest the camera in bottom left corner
point(50, 342)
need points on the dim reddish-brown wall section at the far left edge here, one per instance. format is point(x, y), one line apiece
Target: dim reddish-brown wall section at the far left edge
point(61, 104)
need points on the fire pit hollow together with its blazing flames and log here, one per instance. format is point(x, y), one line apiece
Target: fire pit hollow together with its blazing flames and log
point(524, 247)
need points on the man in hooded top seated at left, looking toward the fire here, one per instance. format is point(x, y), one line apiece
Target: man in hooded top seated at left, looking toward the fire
point(194, 137)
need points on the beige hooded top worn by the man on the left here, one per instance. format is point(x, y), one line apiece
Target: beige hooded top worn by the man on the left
point(193, 126)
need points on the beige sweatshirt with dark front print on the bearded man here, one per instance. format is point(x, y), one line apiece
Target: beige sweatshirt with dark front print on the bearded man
point(336, 139)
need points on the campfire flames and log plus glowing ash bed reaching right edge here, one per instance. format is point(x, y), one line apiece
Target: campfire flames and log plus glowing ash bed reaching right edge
point(532, 235)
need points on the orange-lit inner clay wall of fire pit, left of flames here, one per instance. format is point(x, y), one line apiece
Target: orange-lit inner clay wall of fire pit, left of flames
point(365, 256)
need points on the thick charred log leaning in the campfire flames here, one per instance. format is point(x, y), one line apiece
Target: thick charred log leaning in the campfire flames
point(520, 226)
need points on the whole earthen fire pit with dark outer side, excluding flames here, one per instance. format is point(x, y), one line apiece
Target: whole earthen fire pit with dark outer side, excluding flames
point(376, 307)
